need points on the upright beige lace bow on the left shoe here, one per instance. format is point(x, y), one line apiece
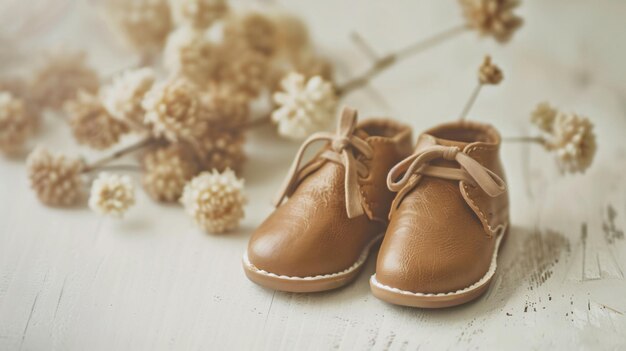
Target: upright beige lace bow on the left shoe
point(342, 144)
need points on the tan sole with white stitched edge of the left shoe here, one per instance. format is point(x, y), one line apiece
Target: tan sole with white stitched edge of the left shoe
point(295, 284)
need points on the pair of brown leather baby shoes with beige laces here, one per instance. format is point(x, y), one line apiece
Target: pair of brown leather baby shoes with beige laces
point(440, 209)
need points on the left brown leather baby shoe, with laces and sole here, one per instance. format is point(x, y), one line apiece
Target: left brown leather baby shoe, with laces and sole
point(336, 210)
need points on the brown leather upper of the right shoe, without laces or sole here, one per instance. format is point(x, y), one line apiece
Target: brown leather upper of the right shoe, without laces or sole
point(439, 239)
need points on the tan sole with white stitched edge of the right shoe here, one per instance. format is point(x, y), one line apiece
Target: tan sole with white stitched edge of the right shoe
point(429, 300)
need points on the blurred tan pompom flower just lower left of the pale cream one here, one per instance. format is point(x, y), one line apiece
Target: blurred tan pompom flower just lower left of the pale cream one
point(91, 124)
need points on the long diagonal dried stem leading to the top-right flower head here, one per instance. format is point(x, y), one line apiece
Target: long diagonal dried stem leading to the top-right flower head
point(388, 60)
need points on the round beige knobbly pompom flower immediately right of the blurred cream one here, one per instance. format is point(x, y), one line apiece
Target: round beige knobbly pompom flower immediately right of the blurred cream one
point(174, 110)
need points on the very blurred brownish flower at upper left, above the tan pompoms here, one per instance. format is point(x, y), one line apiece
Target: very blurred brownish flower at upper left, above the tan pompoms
point(60, 79)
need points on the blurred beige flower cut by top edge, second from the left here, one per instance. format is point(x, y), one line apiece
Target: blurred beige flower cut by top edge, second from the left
point(198, 13)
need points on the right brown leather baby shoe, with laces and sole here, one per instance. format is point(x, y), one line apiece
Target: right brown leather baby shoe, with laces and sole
point(447, 221)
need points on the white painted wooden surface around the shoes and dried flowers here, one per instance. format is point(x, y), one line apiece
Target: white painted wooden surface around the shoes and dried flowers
point(70, 280)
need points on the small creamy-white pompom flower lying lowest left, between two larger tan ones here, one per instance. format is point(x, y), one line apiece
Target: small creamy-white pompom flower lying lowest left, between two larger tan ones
point(112, 194)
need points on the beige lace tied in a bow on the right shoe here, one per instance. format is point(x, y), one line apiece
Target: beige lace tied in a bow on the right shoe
point(414, 166)
